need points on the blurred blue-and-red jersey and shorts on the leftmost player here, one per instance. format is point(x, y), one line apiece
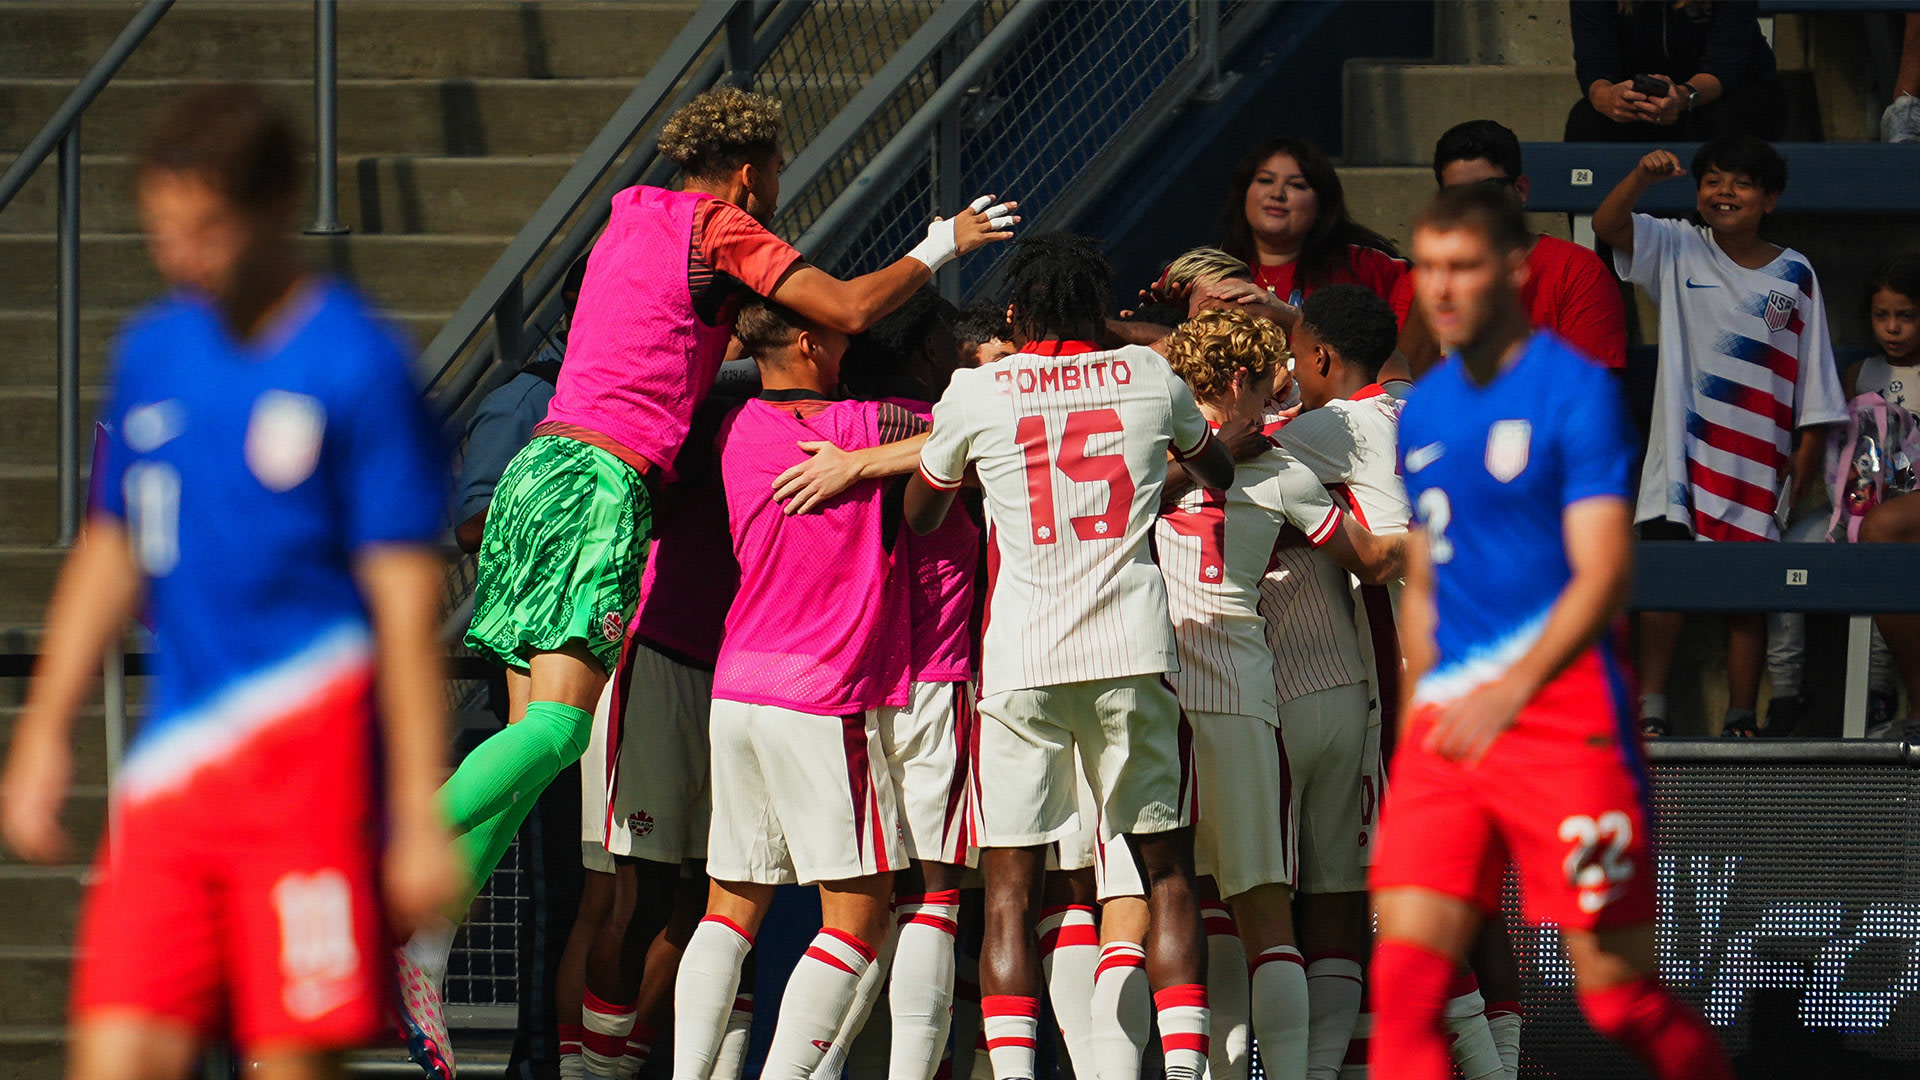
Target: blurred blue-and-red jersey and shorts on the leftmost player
point(249, 478)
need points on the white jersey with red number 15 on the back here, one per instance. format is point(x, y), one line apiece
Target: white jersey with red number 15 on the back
point(1070, 445)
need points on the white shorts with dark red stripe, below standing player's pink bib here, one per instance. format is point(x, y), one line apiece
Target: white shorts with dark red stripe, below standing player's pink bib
point(800, 798)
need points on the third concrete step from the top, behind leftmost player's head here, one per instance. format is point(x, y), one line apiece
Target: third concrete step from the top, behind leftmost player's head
point(377, 195)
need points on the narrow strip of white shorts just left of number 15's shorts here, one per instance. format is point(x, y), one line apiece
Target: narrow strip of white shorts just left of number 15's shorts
point(928, 749)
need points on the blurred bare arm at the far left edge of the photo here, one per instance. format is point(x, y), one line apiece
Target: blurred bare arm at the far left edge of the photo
point(93, 601)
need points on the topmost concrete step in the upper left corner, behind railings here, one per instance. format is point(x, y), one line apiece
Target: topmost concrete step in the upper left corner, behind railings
point(377, 39)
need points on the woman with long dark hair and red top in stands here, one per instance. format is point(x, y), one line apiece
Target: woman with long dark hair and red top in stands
point(1287, 220)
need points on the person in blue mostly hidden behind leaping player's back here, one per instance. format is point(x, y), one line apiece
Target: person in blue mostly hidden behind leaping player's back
point(506, 422)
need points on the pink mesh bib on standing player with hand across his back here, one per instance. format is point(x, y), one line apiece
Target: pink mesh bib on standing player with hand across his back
point(819, 624)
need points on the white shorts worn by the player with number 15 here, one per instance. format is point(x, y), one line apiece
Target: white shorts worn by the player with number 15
point(1136, 752)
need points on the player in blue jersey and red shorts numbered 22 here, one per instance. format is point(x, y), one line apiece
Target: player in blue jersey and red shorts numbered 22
point(1520, 739)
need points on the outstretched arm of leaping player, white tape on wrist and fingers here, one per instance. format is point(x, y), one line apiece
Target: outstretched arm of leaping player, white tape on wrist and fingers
point(852, 307)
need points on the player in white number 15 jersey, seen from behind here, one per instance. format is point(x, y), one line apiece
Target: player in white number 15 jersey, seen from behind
point(1070, 445)
